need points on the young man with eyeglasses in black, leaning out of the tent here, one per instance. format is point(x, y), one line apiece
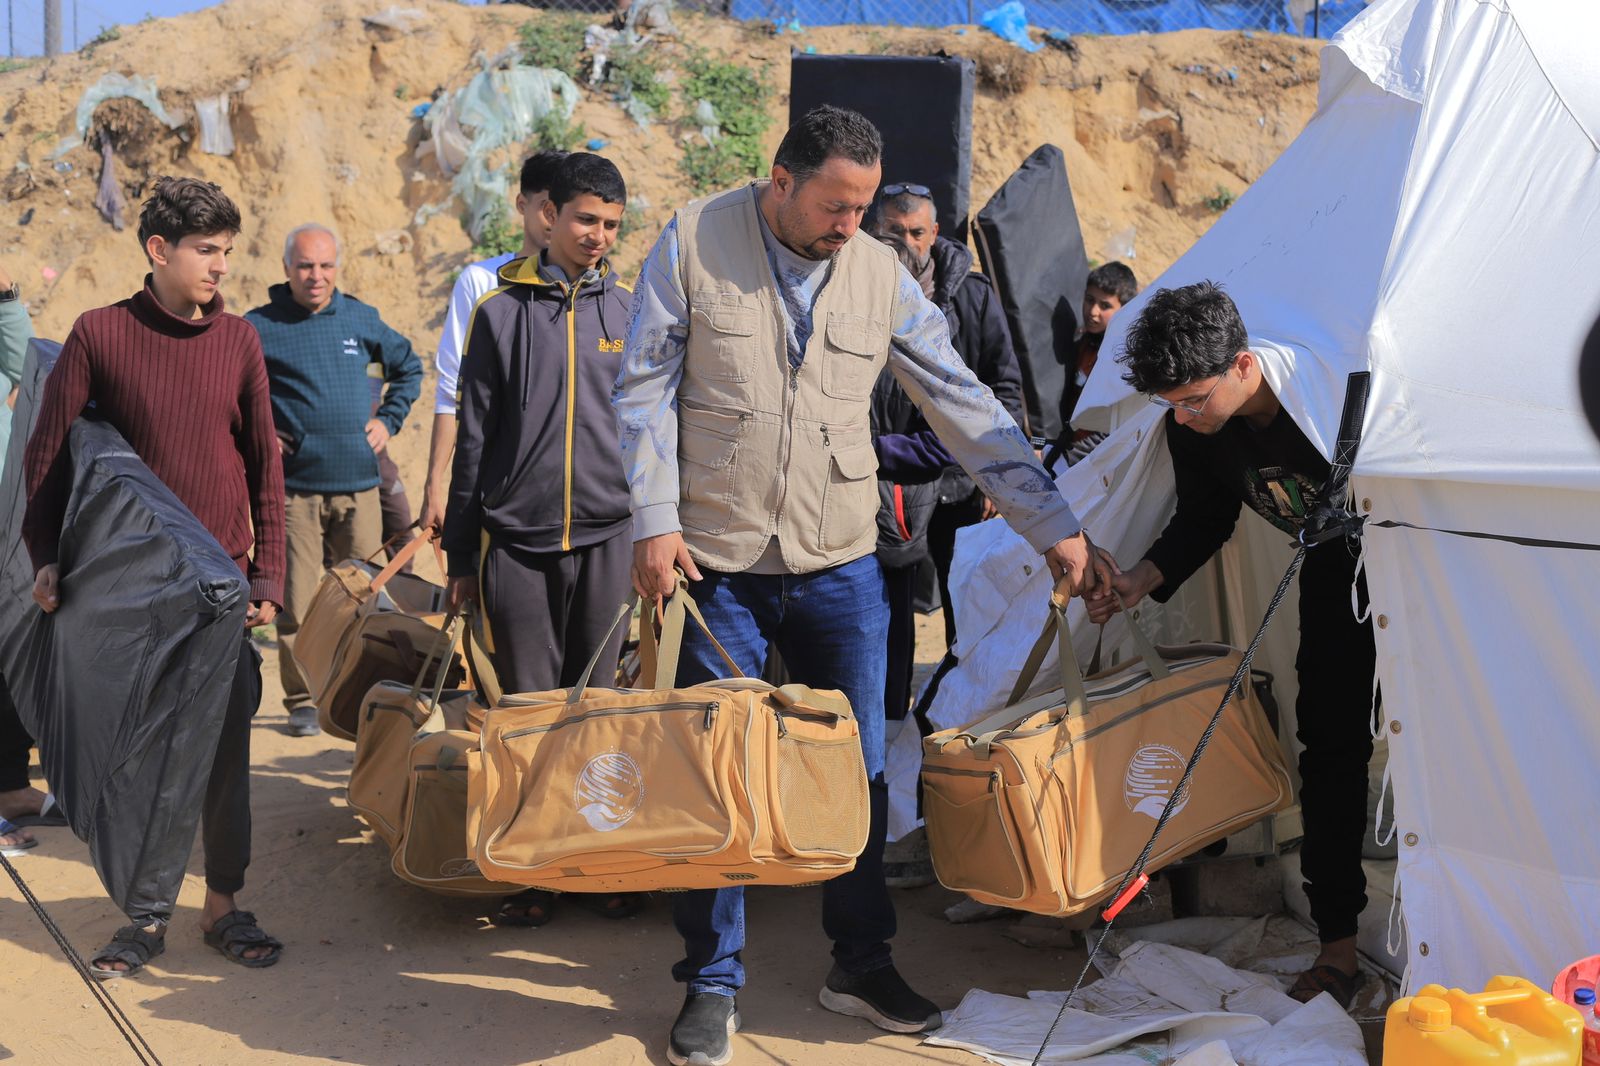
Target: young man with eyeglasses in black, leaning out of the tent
point(1233, 444)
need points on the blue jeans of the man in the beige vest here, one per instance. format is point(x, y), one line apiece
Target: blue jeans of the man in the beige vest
point(831, 630)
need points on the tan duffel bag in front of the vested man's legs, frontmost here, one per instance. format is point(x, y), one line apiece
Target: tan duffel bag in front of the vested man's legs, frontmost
point(727, 783)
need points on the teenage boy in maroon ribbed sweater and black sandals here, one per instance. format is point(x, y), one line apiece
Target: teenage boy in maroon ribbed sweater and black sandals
point(186, 387)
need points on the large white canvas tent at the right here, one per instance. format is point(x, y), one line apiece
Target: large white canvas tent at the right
point(1439, 225)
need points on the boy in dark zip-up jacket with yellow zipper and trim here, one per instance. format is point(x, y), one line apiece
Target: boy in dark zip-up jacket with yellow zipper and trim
point(538, 526)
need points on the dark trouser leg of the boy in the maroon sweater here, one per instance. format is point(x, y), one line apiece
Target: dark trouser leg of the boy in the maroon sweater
point(226, 817)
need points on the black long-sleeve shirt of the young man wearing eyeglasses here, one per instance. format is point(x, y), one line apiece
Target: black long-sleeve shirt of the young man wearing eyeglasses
point(1274, 470)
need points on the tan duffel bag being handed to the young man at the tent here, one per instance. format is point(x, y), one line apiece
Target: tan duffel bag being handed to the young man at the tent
point(1047, 804)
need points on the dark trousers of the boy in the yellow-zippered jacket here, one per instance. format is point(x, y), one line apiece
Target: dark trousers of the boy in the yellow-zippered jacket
point(548, 612)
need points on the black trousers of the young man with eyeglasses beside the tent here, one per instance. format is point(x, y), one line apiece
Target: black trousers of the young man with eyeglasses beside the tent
point(1335, 665)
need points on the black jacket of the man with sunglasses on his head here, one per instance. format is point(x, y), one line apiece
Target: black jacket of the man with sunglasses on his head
point(982, 339)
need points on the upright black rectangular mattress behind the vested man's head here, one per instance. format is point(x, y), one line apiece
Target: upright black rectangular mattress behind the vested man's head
point(921, 105)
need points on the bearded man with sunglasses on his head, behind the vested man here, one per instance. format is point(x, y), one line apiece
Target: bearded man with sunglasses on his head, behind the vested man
point(978, 334)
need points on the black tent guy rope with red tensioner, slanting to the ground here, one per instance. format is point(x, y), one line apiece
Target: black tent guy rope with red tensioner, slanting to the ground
point(1334, 521)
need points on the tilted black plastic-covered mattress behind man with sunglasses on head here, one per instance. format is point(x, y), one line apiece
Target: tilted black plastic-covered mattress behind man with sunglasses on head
point(1031, 246)
